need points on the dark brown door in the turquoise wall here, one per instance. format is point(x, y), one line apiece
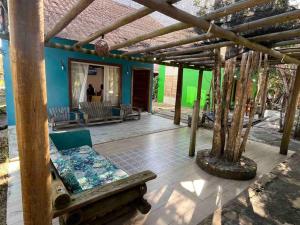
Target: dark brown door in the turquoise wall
point(141, 89)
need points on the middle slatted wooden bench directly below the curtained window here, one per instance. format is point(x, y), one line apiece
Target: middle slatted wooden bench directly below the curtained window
point(96, 113)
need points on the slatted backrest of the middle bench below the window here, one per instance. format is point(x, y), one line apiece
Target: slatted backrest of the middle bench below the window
point(100, 110)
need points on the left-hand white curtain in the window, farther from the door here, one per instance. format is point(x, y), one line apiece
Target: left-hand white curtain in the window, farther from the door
point(79, 73)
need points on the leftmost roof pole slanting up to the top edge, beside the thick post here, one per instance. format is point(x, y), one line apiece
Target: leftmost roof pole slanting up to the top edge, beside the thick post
point(72, 14)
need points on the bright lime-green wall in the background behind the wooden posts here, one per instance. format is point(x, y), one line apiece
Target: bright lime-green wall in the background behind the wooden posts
point(189, 86)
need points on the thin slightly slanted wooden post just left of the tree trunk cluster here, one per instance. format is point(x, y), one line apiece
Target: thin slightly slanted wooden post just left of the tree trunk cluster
point(195, 116)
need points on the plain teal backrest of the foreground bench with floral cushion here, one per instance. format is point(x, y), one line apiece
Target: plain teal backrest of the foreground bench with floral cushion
point(71, 139)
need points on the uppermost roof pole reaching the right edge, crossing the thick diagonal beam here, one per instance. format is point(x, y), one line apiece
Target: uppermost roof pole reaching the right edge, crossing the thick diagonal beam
point(284, 17)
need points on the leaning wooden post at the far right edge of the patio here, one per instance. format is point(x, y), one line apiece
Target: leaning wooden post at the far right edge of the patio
point(290, 115)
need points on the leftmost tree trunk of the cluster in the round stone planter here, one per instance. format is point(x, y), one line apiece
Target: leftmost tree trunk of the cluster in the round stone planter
point(217, 144)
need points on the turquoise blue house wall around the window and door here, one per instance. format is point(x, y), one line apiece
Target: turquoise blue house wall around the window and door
point(58, 80)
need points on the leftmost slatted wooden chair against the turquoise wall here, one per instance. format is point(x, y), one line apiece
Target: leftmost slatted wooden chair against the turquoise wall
point(62, 117)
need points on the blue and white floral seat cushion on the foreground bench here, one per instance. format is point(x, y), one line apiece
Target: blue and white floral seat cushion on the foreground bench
point(83, 168)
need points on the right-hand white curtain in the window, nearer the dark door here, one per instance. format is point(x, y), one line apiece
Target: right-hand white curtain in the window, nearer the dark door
point(111, 84)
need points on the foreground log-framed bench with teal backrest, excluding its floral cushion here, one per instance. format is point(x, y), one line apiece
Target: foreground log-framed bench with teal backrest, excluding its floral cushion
point(101, 203)
